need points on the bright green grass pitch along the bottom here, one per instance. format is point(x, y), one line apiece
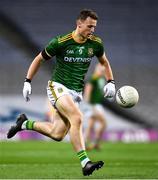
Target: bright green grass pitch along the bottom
point(41, 159)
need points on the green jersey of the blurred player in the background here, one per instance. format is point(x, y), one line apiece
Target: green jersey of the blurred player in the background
point(97, 94)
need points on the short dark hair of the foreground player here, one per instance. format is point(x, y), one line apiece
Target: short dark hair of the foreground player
point(87, 13)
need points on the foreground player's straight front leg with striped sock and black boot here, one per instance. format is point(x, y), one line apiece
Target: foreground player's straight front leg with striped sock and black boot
point(69, 109)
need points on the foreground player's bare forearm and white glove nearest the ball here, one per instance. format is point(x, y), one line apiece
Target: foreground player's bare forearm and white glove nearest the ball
point(109, 88)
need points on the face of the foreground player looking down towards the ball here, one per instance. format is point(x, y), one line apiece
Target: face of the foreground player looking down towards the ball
point(87, 27)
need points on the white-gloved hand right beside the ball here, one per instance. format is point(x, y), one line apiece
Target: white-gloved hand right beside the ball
point(109, 89)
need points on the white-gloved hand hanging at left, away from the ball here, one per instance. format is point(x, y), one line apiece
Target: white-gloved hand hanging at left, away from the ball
point(27, 90)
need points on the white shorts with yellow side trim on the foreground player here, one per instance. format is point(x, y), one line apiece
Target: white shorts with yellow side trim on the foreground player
point(56, 90)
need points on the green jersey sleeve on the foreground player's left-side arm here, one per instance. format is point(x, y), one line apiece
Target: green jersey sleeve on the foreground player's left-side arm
point(52, 47)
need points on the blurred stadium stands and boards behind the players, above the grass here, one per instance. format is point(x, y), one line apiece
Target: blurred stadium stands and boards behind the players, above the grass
point(129, 31)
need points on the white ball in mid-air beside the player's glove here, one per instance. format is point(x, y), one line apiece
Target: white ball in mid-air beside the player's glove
point(127, 96)
